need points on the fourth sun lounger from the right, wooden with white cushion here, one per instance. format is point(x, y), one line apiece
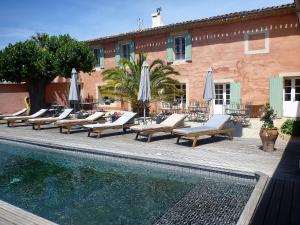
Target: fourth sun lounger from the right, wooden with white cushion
point(67, 124)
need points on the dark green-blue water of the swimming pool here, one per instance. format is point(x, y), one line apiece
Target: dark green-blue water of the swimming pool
point(79, 188)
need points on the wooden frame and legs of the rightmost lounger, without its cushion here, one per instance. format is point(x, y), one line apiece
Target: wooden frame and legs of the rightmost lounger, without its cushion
point(194, 136)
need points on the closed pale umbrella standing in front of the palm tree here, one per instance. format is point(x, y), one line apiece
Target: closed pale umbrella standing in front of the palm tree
point(144, 88)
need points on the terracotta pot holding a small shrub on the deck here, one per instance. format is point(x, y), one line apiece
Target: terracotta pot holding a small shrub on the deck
point(268, 137)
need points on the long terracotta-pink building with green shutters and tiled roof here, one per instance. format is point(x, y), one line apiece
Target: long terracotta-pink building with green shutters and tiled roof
point(254, 56)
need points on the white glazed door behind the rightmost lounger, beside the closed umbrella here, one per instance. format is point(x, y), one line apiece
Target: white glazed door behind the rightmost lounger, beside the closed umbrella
point(222, 98)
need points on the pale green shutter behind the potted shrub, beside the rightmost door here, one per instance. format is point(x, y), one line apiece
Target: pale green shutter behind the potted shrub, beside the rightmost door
point(275, 98)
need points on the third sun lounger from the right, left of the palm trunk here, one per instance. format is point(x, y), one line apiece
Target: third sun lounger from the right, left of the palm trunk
point(124, 122)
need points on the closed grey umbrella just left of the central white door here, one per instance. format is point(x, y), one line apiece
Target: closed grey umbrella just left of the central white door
point(209, 90)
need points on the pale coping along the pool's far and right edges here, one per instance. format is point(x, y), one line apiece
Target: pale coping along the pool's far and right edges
point(249, 209)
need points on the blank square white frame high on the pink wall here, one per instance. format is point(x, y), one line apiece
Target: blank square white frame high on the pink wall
point(264, 50)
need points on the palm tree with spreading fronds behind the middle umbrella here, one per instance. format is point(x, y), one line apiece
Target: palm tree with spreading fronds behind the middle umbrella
point(122, 83)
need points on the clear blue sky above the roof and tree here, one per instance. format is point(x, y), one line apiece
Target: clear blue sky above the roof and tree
point(88, 19)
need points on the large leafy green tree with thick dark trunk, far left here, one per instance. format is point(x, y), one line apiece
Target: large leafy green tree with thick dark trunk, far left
point(40, 59)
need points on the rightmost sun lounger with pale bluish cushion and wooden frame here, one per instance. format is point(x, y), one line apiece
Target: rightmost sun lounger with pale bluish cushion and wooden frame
point(213, 126)
